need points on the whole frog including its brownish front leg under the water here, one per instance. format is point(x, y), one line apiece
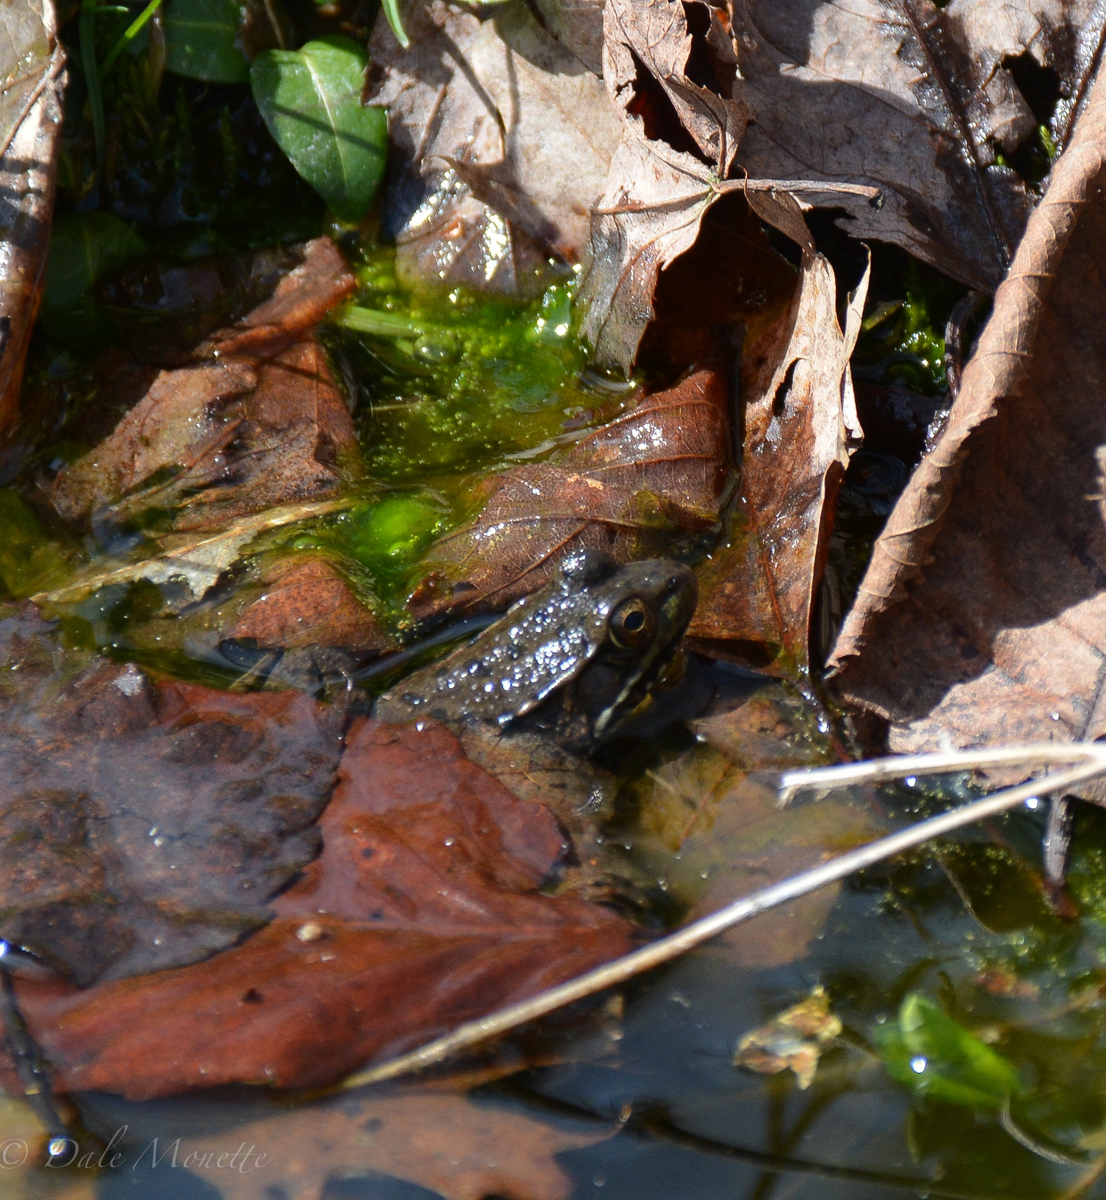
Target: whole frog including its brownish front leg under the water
point(567, 670)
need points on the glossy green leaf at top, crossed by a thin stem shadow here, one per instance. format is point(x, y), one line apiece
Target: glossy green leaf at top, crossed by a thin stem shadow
point(311, 101)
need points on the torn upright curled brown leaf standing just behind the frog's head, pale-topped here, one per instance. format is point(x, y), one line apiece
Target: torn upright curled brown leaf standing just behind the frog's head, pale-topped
point(759, 591)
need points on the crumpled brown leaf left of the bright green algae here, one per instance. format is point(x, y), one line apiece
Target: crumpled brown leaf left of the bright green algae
point(256, 423)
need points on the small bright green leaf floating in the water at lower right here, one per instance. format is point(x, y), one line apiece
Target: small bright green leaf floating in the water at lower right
point(935, 1057)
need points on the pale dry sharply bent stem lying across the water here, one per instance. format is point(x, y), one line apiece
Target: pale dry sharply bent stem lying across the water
point(1092, 758)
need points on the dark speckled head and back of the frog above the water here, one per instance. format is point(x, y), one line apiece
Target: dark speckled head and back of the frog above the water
point(574, 662)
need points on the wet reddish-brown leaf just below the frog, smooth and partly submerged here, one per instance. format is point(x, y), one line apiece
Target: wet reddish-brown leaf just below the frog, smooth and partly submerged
point(423, 913)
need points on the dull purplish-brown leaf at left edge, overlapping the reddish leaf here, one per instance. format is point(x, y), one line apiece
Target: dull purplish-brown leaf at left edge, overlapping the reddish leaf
point(145, 825)
